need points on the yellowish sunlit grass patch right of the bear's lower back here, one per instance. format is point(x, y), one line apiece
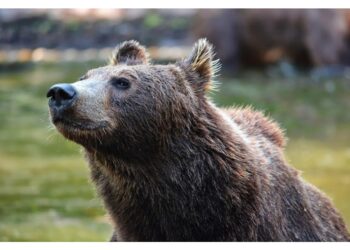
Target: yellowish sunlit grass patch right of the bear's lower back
point(326, 166)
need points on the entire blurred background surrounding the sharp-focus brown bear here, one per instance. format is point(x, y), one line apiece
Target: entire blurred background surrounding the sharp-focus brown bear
point(292, 64)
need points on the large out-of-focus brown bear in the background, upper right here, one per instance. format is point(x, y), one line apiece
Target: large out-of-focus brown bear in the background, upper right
point(256, 37)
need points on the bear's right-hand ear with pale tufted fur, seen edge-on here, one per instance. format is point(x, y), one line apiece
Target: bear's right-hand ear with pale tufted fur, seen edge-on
point(201, 61)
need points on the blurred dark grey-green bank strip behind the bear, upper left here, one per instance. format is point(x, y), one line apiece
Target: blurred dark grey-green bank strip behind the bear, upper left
point(152, 28)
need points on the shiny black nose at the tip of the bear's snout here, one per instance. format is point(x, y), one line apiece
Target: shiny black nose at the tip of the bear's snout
point(61, 94)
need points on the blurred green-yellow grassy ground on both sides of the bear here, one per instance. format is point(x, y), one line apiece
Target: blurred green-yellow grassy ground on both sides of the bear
point(45, 192)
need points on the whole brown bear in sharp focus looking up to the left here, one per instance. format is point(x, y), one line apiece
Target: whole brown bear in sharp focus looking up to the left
point(171, 166)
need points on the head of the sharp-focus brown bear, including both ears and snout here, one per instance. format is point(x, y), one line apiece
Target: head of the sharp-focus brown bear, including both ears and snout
point(131, 104)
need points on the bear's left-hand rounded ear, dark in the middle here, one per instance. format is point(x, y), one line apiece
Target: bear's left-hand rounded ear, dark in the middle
point(130, 53)
